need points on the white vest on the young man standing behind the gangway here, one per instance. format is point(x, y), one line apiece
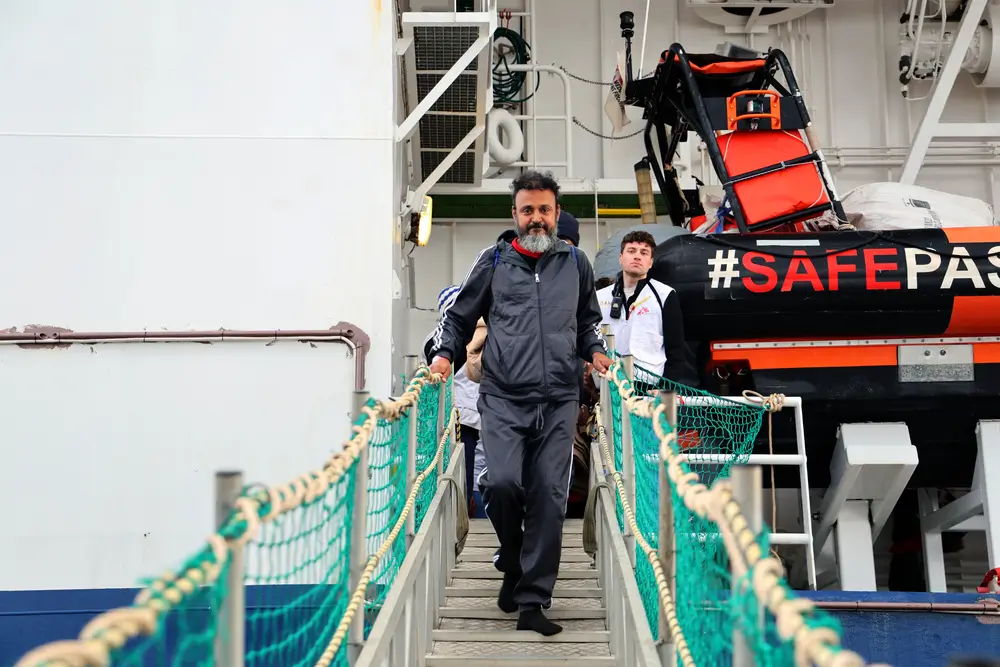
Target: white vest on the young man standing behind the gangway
point(641, 335)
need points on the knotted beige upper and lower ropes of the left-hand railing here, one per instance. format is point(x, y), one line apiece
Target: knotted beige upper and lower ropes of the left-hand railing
point(110, 631)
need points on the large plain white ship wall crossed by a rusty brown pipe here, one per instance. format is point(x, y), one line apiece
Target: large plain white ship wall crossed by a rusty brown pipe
point(182, 165)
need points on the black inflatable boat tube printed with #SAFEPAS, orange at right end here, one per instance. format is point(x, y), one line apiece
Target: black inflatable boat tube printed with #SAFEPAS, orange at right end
point(835, 285)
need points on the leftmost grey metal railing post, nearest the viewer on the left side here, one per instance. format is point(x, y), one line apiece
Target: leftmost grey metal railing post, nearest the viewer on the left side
point(229, 636)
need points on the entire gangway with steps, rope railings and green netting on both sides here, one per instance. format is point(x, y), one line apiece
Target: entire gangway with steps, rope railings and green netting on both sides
point(409, 581)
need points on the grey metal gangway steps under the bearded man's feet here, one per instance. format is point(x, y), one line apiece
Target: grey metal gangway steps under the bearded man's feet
point(472, 632)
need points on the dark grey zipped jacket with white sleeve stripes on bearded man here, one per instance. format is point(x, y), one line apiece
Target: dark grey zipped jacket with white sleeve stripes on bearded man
point(540, 320)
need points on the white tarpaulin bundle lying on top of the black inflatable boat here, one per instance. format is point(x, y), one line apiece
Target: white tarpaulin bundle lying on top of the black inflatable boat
point(886, 206)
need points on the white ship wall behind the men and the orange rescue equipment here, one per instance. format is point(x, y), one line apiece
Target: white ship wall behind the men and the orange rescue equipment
point(844, 58)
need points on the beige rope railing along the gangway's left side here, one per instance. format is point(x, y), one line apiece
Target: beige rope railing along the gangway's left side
point(100, 643)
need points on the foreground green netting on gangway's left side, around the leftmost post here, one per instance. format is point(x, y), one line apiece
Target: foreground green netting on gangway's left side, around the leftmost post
point(297, 588)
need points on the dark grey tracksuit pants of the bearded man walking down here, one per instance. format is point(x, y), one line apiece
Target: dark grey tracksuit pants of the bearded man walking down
point(529, 458)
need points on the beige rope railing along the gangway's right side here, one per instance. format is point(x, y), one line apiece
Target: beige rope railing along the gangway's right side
point(815, 643)
